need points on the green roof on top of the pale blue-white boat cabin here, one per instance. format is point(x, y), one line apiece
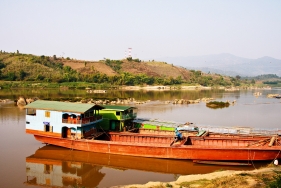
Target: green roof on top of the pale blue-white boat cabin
point(63, 106)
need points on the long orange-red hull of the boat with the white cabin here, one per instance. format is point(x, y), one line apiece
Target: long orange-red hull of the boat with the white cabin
point(235, 152)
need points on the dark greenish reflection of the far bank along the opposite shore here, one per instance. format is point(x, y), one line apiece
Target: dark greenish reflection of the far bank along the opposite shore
point(139, 95)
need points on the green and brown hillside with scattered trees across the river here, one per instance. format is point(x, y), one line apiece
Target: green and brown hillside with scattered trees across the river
point(27, 67)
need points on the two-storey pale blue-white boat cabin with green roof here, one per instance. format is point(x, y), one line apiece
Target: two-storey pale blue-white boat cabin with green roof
point(61, 119)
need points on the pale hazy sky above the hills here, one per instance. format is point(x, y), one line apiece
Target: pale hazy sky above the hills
point(95, 29)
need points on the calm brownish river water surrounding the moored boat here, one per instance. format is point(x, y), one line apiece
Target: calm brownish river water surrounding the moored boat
point(27, 163)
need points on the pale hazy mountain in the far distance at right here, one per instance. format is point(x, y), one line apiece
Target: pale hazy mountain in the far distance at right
point(228, 64)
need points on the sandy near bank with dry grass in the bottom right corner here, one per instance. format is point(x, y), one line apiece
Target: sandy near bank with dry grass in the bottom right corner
point(247, 179)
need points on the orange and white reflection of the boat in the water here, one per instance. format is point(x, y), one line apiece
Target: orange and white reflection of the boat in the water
point(60, 167)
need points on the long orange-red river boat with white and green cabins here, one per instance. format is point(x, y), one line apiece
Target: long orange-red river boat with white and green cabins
point(106, 129)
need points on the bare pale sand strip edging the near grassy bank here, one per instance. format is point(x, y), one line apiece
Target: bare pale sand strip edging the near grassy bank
point(211, 176)
